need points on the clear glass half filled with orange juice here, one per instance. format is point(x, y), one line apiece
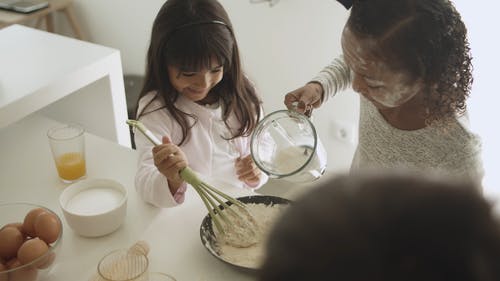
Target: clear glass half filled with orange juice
point(68, 148)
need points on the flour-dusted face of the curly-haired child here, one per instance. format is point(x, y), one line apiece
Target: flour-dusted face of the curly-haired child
point(372, 77)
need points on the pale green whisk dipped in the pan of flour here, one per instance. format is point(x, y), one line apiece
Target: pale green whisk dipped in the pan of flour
point(238, 226)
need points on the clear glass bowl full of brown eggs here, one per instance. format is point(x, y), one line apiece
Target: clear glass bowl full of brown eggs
point(30, 237)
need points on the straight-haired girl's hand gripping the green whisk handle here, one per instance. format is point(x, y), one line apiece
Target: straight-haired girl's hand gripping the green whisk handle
point(170, 160)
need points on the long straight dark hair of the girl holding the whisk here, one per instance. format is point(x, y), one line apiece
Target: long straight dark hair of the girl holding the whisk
point(188, 34)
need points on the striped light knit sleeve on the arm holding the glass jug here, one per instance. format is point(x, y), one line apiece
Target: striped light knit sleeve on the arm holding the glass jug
point(334, 77)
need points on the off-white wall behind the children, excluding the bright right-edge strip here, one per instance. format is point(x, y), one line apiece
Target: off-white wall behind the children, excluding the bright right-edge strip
point(282, 48)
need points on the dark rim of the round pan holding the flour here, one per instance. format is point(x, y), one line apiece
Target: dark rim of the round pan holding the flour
point(207, 233)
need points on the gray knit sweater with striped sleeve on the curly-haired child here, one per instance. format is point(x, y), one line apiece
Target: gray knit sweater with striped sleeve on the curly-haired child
point(454, 150)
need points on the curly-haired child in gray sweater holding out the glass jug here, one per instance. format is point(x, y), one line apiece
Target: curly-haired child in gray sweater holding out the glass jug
point(410, 61)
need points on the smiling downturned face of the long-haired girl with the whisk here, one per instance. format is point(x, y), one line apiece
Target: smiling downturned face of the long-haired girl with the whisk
point(195, 85)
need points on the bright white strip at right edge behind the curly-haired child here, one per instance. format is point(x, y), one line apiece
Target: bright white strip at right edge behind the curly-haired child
point(482, 20)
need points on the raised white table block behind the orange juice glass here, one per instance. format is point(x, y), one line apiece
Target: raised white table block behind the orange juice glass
point(69, 79)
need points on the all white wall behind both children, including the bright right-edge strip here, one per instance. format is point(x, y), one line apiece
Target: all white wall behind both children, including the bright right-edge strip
point(285, 45)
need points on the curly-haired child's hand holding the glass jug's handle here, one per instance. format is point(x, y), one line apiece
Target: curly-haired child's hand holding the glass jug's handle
point(305, 98)
